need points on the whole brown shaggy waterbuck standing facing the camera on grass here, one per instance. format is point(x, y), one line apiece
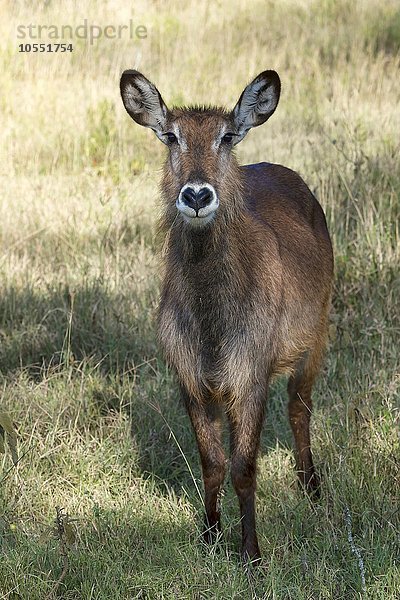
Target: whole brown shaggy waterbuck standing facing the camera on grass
point(247, 284)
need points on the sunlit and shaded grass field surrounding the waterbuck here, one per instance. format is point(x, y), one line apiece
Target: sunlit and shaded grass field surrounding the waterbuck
point(100, 429)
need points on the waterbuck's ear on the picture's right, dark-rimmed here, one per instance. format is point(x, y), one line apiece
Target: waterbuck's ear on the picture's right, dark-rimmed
point(257, 102)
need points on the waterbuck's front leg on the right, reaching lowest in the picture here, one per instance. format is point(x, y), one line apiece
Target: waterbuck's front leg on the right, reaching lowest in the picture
point(246, 419)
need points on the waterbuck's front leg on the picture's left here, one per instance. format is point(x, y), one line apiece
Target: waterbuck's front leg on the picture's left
point(212, 458)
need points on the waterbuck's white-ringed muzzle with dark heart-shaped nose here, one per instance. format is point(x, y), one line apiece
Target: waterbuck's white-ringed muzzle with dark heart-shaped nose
point(197, 203)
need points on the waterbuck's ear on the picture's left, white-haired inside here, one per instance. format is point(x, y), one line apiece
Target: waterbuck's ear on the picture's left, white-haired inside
point(143, 102)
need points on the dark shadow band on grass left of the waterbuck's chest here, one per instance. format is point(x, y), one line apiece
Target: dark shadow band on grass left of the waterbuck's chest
point(41, 330)
